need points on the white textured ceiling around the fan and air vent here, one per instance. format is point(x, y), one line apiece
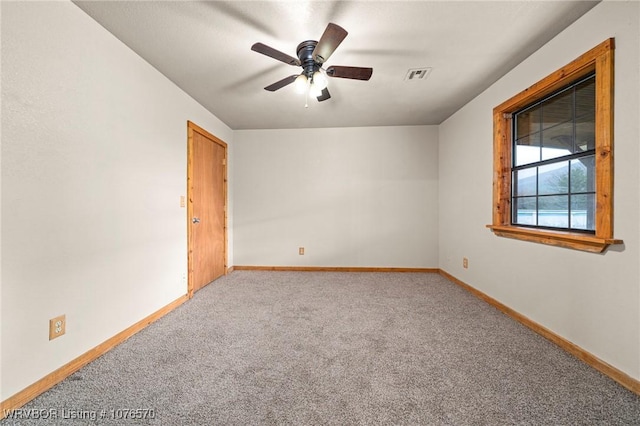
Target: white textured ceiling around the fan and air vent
point(205, 49)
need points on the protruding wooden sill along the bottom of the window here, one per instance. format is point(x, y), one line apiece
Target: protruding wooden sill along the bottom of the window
point(572, 240)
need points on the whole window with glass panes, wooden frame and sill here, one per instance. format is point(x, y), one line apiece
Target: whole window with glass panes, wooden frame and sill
point(553, 157)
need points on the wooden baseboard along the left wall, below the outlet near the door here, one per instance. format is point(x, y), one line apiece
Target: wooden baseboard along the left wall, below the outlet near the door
point(21, 398)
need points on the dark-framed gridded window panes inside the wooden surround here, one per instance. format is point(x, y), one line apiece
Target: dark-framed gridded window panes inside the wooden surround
point(553, 172)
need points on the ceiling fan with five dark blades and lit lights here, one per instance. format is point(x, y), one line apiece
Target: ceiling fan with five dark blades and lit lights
point(311, 56)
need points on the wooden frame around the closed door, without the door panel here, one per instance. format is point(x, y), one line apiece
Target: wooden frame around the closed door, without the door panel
point(191, 129)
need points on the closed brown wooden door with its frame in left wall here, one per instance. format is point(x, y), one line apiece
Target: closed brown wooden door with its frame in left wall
point(207, 195)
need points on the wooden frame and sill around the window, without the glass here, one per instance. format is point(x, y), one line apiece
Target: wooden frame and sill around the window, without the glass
point(598, 60)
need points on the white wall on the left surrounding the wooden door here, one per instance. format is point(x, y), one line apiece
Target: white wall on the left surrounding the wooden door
point(93, 167)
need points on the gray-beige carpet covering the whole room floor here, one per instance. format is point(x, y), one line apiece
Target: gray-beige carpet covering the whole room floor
point(307, 348)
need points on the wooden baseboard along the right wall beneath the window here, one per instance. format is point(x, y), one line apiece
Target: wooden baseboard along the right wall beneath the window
point(607, 369)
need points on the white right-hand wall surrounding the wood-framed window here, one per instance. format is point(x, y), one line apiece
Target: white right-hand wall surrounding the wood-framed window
point(591, 300)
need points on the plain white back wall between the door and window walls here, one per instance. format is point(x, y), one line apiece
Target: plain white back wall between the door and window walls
point(351, 196)
